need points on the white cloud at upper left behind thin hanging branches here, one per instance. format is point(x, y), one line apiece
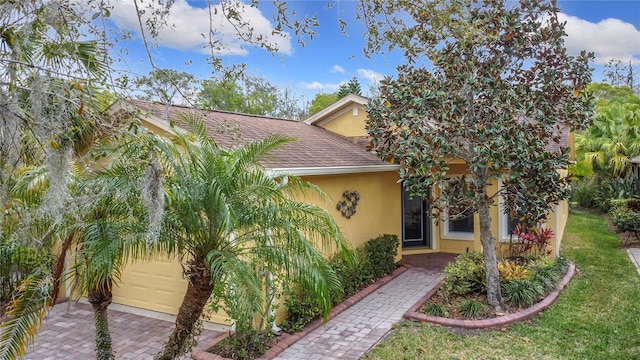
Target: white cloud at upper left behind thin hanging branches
point(189, 27)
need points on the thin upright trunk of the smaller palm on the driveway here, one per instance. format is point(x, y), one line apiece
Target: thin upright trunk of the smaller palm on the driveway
point(100, 300)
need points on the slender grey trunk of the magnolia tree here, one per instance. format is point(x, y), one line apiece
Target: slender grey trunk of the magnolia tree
point(494, 295)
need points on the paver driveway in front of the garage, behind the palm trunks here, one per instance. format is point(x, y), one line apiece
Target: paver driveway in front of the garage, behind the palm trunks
point(69, 331)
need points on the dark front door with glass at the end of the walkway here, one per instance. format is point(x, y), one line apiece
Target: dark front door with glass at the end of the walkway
point(416, 225)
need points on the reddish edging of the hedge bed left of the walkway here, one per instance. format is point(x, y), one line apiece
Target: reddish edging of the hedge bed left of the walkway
point(285, 340)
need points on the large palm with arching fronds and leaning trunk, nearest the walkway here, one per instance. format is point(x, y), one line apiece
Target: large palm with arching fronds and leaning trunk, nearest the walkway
point(224, 213)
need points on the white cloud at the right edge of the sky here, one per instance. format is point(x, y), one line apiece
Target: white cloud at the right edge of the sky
point(608, 39)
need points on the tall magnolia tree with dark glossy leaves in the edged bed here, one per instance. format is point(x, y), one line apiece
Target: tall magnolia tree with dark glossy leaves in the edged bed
point(499, 90)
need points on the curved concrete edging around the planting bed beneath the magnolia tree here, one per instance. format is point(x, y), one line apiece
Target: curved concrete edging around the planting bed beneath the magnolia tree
point(413, 314)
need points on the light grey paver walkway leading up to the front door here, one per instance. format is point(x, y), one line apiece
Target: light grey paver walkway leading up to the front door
point(350, 334)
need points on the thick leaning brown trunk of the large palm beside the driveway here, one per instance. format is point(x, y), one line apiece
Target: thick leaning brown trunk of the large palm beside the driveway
point(195, 299)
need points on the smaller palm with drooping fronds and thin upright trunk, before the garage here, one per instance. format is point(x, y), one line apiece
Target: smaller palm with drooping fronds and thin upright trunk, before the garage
point(112, 231)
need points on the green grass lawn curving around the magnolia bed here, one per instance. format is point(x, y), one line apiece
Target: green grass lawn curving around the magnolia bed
point(596, 317)
